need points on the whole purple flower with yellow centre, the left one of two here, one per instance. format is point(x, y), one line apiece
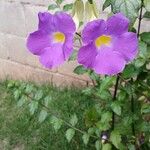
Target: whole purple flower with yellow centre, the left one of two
point(53, 41)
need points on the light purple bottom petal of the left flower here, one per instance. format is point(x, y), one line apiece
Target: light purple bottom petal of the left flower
point(52, 56)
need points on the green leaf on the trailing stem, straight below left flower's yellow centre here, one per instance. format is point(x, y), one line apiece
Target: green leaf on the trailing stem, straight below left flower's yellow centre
point(57, 123)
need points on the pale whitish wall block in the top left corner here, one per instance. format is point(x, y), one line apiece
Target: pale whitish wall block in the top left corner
point(12, 18)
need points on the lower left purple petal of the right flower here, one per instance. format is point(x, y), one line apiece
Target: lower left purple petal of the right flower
point(86, 55)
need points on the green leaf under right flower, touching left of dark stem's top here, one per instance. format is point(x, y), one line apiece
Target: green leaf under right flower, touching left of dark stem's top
point(106, 83)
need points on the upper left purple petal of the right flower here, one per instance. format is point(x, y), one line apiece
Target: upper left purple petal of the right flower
point(92, 30)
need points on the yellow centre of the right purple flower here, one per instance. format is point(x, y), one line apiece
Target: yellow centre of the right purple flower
point(102, 40)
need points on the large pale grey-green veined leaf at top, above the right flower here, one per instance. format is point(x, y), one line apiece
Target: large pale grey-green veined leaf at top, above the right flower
point(129, 8)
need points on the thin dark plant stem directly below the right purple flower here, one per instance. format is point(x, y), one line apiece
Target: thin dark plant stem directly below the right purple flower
point(114, 98)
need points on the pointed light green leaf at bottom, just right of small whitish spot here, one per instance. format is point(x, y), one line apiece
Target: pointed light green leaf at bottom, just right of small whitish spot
point(115, 138)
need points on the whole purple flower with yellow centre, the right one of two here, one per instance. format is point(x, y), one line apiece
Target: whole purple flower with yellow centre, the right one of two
point(107, 45)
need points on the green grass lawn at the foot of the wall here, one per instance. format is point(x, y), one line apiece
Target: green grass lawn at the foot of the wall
point(21, 131)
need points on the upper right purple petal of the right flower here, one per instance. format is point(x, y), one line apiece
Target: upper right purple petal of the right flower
point(117, 24)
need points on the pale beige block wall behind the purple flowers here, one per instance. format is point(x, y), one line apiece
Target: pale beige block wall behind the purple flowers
point(17, 19)
